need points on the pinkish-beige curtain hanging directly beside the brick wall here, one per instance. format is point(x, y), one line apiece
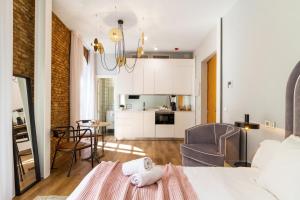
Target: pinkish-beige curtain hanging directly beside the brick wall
point(76, 67)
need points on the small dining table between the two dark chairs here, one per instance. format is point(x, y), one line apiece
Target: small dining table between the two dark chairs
point(100, 129)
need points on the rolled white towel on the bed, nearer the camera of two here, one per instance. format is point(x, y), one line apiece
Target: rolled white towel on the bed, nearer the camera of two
point(147, 177)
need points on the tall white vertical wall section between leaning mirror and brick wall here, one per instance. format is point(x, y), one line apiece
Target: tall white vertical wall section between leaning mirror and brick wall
point(42, 81)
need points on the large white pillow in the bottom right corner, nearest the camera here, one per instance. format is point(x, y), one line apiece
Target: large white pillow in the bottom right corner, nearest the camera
point(282, 175)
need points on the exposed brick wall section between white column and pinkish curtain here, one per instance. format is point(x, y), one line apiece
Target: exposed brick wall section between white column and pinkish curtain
point(60, 87)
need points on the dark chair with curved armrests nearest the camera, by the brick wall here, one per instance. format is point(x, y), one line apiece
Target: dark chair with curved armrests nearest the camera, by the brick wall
point(69, 140)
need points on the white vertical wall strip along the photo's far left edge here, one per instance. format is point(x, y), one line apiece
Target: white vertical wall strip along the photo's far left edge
point(6, 70)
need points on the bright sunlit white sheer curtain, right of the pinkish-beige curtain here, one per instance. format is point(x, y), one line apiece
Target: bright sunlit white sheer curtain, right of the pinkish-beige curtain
point(88, 88)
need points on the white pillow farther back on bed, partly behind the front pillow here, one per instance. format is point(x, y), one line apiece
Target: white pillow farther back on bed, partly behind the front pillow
point(265, 153)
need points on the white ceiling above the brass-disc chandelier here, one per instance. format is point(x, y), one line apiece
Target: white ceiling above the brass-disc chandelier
point(166, 23)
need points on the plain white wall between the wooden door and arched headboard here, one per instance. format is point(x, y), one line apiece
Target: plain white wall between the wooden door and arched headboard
point(261, 47)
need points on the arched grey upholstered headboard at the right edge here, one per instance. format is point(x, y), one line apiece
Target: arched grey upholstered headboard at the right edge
point(292, 110)
